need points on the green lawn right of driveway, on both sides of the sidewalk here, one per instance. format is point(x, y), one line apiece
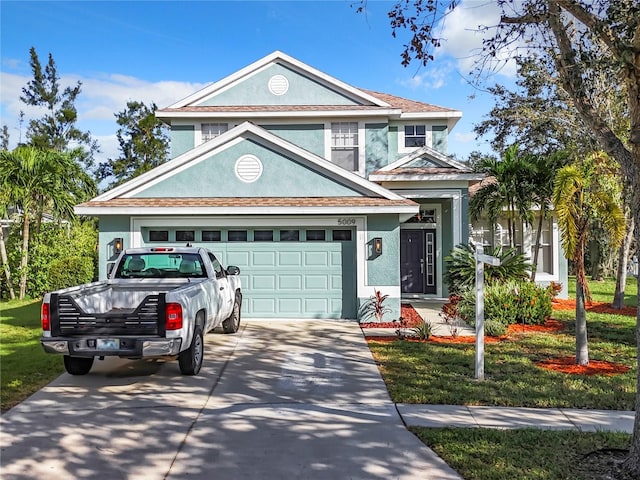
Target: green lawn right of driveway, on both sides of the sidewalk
point(443, 374)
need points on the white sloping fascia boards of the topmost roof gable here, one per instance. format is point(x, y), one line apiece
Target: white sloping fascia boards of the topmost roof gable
point(262, 63)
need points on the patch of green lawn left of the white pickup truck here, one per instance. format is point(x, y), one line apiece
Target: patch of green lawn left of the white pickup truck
point(24, 367)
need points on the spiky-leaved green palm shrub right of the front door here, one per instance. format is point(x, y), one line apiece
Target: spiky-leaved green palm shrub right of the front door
point(461, 268)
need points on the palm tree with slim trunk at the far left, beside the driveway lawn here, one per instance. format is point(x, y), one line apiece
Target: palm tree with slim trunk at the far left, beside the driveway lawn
point(36, 181)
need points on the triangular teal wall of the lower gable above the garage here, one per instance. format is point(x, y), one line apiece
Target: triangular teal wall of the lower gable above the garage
point(215, 177)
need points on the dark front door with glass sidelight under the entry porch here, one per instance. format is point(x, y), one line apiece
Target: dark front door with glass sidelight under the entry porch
point(418, 261)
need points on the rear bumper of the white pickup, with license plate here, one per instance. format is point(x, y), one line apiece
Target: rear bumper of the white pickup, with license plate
point(117, 347)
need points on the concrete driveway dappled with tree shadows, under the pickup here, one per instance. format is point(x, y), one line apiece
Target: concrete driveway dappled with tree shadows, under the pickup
point(278, 400)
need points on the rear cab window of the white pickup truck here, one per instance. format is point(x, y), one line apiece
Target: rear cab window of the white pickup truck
point(161, 265)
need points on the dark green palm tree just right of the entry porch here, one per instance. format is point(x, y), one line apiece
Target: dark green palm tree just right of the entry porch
point(509, 185)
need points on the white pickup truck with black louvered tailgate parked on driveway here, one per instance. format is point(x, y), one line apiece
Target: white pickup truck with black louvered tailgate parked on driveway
point(157, 302)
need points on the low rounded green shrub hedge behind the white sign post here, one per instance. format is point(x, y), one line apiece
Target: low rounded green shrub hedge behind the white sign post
point(508, 303)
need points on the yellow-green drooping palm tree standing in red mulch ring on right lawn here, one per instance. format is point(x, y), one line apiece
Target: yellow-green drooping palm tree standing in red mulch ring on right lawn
point(581, 195)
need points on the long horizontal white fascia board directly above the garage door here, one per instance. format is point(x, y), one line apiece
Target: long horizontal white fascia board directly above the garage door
point(336, 210)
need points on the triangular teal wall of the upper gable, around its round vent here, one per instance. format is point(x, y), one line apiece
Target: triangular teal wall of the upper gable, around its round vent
point(254, 90)
